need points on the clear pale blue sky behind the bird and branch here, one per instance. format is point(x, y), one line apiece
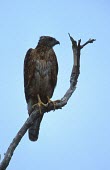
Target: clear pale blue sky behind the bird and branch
point(78, 136)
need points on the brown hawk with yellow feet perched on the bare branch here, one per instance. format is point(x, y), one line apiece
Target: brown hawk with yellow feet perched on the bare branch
point(40, 77)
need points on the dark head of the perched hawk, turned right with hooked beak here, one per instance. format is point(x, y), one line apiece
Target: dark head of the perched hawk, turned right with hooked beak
point(48, 41)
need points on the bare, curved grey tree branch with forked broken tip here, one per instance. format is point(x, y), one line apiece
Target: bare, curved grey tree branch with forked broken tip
point(76, 47)
